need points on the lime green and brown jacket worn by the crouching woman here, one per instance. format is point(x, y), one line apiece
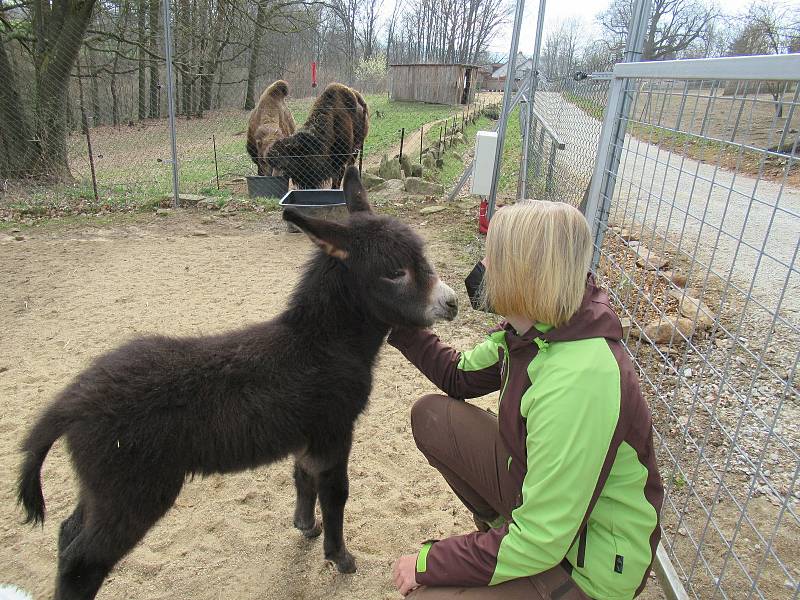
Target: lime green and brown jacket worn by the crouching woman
point(578, 433)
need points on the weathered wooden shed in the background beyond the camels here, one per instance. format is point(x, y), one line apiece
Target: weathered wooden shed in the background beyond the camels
point(434, 83)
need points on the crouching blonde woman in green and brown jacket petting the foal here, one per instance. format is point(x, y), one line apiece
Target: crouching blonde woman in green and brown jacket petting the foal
point(563, 482)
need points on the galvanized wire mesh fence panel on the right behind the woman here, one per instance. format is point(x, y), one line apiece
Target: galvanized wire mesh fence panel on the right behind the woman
point(696, 203)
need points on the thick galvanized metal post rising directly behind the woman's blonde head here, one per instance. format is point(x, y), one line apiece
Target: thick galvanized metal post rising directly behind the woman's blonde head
point(612, 137)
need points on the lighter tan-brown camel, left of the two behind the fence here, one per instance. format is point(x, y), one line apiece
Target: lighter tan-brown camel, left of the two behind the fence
point(270, 121)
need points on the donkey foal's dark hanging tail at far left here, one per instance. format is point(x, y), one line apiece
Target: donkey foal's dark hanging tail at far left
point(50, 426)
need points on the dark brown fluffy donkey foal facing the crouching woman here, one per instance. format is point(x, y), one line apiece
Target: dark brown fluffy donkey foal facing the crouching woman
point(156, 410)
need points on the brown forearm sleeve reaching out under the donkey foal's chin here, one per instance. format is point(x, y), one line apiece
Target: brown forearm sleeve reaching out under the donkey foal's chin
point(439, 363)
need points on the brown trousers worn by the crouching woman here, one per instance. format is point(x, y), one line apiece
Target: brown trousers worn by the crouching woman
point(462, 442)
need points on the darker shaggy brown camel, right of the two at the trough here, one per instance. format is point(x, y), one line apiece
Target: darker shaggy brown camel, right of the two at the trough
point(327, 143)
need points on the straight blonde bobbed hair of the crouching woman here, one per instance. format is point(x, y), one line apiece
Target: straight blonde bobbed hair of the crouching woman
point(537, 257)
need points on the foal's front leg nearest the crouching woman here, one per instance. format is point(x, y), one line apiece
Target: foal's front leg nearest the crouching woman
point(333, 492)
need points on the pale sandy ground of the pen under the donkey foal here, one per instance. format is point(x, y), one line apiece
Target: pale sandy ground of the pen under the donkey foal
point(70, 294)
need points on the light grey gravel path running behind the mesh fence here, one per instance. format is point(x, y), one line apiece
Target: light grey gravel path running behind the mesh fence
point(740, 225)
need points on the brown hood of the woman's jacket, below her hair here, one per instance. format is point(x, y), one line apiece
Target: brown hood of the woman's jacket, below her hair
point(594, 318)
